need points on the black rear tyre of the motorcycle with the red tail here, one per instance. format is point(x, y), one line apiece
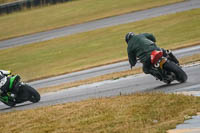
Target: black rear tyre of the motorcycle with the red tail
point(170, 66)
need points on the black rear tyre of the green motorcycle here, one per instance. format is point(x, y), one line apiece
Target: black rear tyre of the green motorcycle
point(34, 96)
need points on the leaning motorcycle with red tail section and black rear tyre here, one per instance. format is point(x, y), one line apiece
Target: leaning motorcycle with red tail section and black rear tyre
point(168, 69)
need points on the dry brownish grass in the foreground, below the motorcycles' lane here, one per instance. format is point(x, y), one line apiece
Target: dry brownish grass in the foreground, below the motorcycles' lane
point(138, 113)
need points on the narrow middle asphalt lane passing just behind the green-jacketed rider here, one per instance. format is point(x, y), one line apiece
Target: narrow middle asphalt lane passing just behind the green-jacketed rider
point(98, 71)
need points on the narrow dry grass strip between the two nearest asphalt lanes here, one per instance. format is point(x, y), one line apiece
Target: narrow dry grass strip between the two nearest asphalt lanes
point(112, 76)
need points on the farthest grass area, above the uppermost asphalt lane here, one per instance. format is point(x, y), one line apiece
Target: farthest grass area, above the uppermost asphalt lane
point(69, 13)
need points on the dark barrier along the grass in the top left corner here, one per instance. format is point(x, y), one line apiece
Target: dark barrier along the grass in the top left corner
point(23, 4)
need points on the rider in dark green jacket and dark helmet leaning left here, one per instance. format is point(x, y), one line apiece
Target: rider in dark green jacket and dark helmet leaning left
point(140, 47)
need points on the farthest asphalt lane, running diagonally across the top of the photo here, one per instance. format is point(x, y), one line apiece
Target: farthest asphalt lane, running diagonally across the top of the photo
point(107, 22)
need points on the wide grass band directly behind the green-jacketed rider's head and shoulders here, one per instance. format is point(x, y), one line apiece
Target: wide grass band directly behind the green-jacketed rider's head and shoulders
point(97, 47)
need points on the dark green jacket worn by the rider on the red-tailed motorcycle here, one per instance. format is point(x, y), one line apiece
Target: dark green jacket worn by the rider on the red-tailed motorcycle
point(140, 47)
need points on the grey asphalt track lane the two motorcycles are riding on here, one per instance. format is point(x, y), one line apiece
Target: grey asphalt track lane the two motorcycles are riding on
point(127, 85)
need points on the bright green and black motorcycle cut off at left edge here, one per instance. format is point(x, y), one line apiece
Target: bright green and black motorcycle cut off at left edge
point(18, 92)
